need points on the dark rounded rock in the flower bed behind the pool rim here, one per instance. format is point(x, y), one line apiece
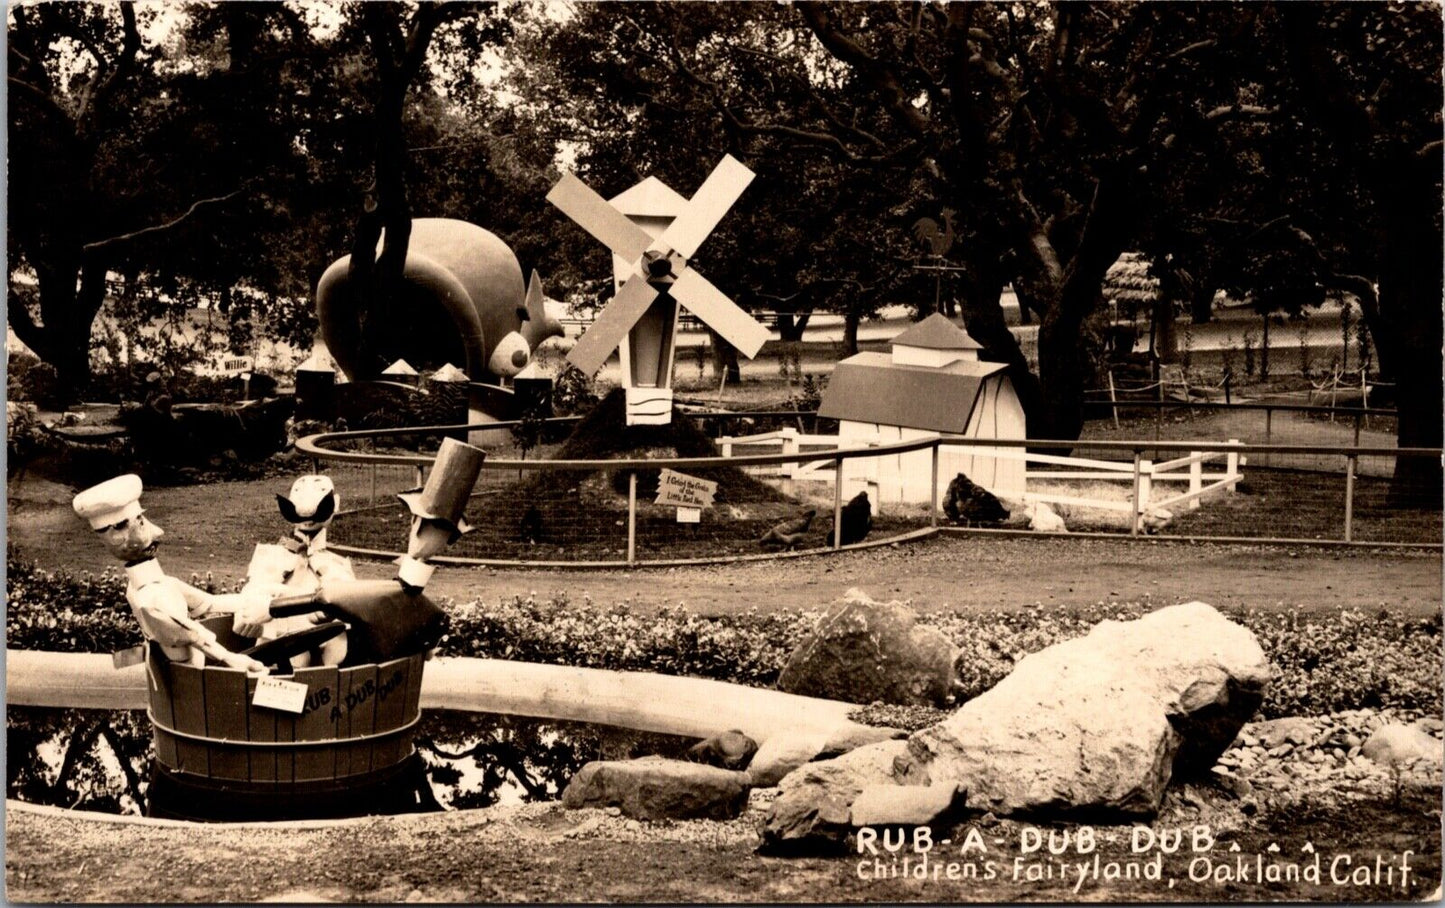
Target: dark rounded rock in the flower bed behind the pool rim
point(865, 651)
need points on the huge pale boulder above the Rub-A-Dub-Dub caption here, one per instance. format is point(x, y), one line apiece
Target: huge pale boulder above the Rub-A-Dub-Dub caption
point(1102, 724)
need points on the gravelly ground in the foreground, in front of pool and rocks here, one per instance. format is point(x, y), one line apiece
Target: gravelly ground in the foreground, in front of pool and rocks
point(543, 852)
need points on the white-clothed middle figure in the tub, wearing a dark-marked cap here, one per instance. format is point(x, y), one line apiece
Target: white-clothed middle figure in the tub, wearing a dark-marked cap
point(300, 563)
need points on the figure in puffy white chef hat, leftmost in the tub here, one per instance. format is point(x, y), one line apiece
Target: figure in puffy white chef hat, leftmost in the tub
point(165, 607)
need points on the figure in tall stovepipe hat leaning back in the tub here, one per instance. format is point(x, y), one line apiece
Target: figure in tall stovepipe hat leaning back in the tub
point(389, 620)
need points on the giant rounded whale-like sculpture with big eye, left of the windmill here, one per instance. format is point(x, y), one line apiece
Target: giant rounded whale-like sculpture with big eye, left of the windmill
point(463, 301)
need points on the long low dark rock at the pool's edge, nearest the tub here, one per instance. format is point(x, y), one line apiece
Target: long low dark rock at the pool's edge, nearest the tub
point(655, 789)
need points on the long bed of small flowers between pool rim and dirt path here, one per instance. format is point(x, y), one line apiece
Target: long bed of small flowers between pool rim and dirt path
point(1327, 664)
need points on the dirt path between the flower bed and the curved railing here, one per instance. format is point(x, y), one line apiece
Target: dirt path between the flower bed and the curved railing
point(213, 528)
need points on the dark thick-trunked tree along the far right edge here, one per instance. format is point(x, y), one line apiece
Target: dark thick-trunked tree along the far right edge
point(1371, 80)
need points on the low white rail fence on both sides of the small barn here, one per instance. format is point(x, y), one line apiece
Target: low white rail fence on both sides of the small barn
point(1144, 475)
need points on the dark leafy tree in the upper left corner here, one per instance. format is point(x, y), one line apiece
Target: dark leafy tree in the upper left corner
point(161, 161)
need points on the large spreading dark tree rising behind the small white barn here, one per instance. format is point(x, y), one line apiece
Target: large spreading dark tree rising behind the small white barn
point(1041, 127)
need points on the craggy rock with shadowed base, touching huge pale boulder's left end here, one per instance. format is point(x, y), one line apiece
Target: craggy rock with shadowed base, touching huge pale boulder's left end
point(811, 815)
